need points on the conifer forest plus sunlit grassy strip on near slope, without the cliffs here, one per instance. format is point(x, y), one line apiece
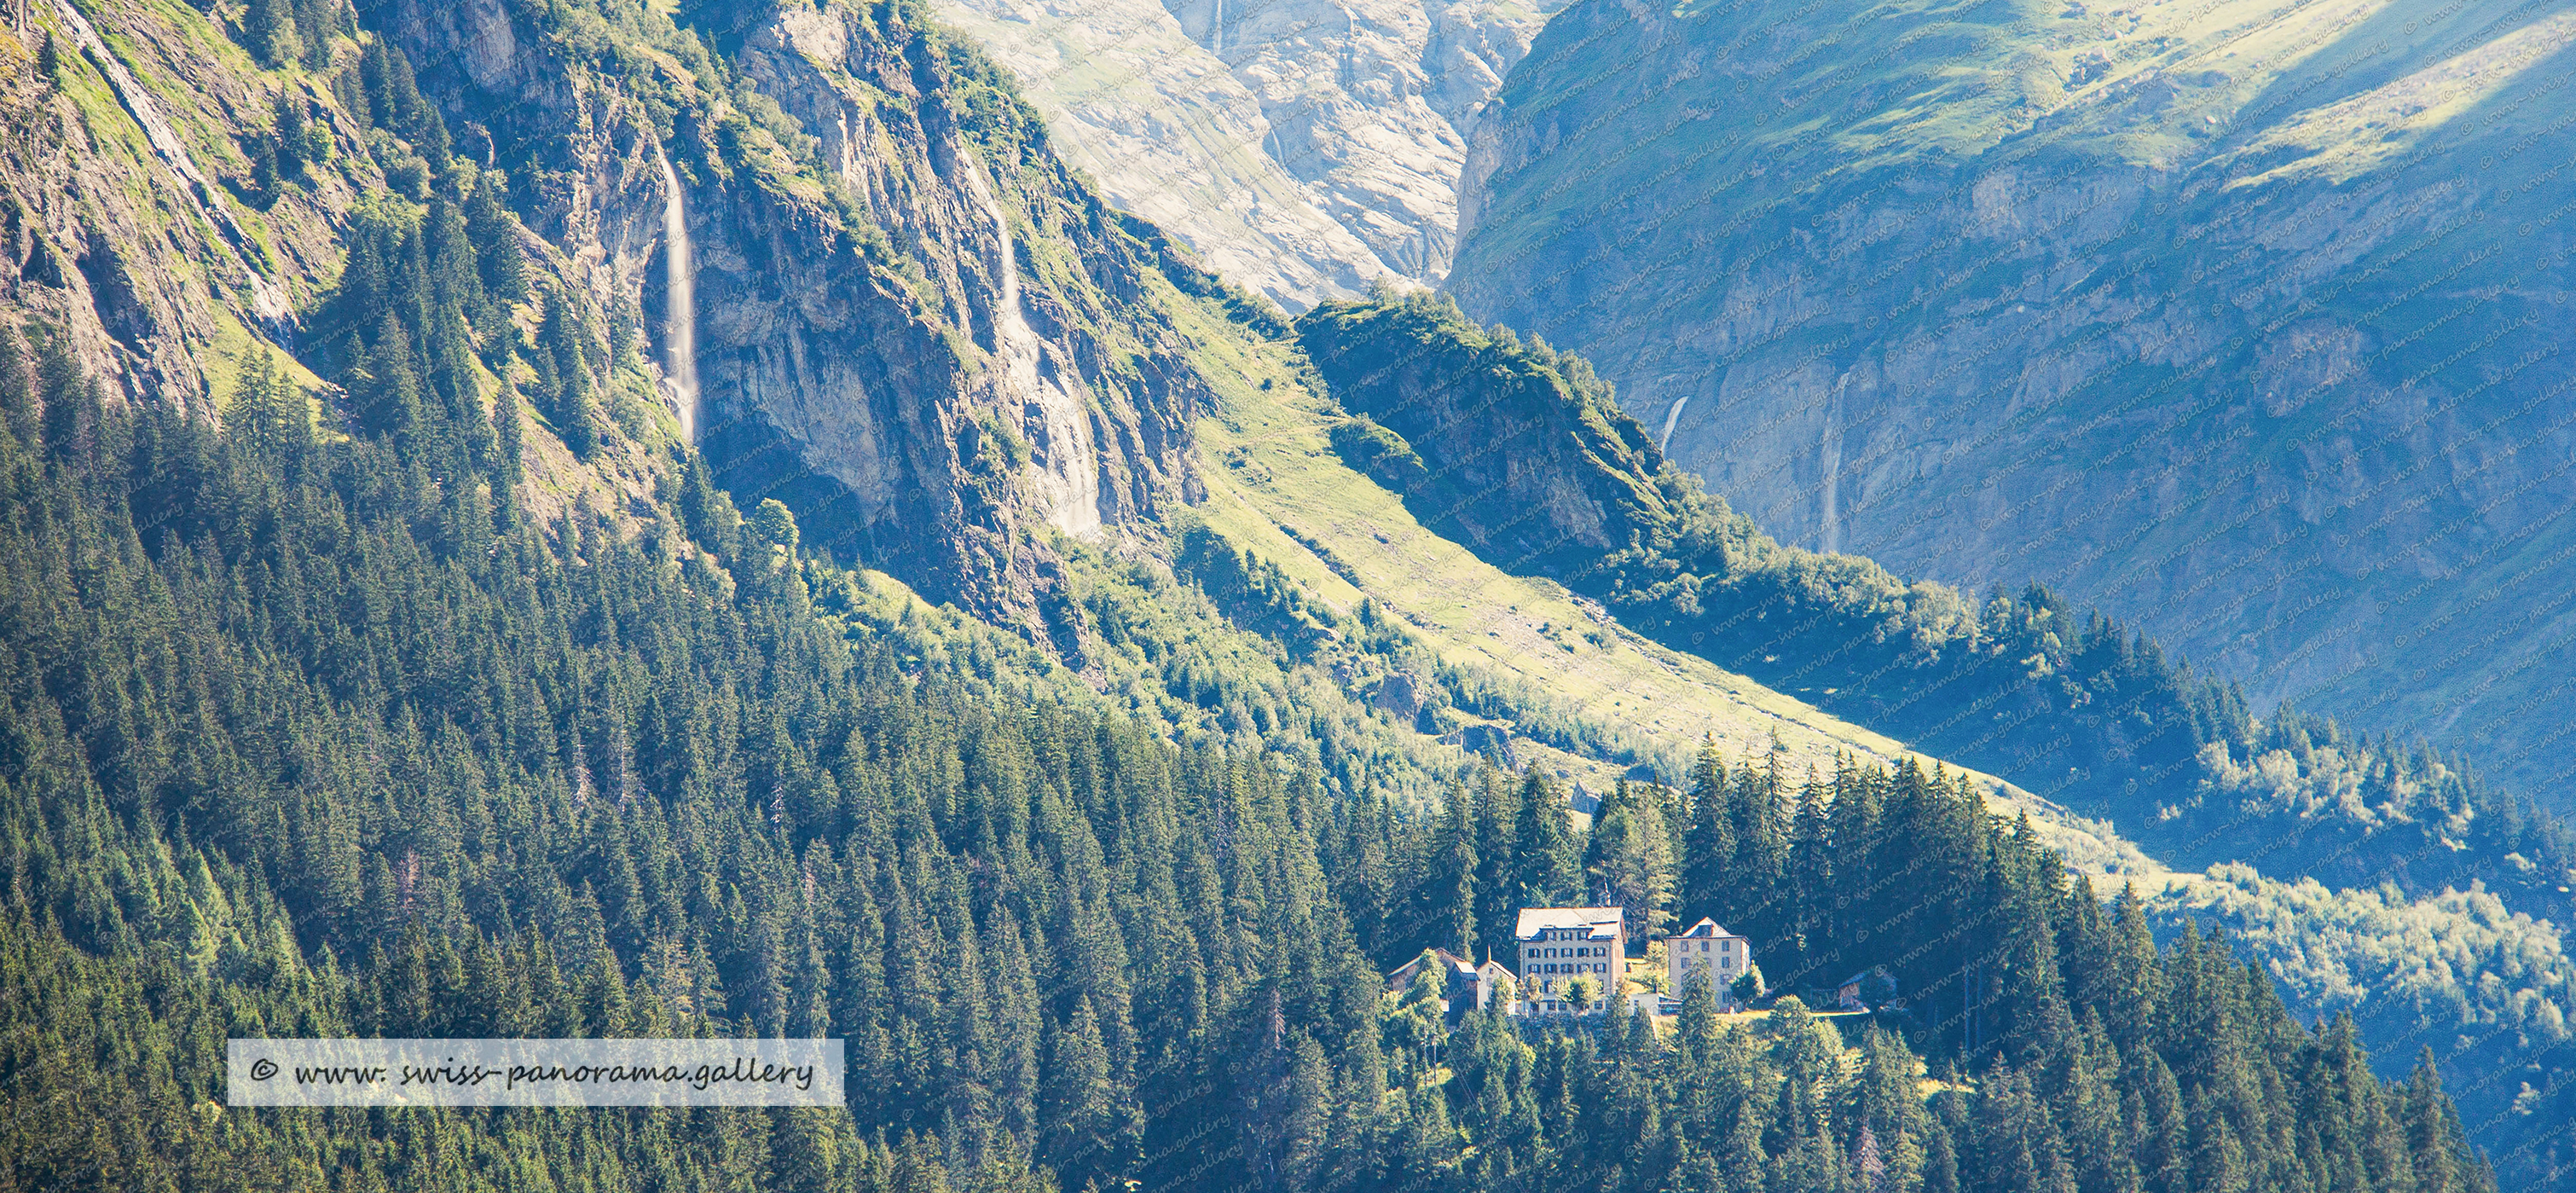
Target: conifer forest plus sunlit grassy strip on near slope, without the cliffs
point(478, 707)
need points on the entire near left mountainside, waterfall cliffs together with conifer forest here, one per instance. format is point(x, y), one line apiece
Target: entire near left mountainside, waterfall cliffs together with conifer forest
point(431, 684)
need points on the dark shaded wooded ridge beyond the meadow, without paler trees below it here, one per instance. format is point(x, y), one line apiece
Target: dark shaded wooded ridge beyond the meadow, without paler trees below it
point(1521, 455)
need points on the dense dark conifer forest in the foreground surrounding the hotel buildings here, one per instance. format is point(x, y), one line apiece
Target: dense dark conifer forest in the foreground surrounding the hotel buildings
point(308, 767)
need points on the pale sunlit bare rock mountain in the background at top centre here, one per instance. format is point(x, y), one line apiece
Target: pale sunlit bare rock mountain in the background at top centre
point(1300, 148)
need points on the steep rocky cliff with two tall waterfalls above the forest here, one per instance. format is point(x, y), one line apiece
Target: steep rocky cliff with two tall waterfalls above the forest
point(913, 323)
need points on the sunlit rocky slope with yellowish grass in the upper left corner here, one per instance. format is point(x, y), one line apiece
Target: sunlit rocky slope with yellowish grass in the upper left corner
point(130, 225)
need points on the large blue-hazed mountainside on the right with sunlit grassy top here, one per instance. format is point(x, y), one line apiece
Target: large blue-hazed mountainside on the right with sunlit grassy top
point(2237, 321)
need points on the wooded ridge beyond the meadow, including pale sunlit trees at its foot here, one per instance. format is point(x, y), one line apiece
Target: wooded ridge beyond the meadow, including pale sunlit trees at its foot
point(1524, 457)
